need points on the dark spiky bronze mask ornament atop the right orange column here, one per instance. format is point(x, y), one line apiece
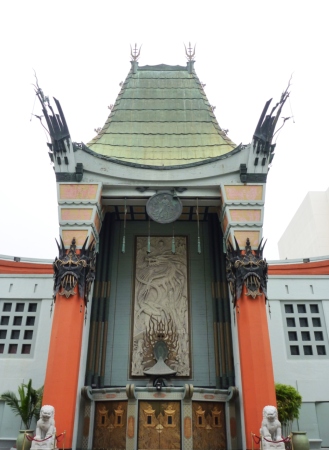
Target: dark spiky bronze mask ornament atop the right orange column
point(248, 269)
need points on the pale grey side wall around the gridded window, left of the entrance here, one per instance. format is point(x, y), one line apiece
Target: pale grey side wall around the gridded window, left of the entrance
point(17, 369)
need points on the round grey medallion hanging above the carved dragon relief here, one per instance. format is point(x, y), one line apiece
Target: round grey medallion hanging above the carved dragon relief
point(164, 207)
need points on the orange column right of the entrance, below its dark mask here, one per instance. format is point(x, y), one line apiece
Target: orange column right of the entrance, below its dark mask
point(258, 389)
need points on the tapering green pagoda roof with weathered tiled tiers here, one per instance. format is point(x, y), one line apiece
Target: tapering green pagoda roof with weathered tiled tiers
point(161, 117)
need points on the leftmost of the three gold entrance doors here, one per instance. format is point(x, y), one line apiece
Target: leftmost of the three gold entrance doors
point(110, 426)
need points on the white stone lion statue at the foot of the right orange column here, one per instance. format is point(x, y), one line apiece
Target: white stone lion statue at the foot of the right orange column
point(271, 428)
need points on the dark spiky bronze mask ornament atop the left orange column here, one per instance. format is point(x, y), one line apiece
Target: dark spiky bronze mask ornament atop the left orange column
point(72, 269)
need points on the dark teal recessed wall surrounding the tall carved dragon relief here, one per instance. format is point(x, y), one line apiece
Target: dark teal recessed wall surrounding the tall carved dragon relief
point(201, 328)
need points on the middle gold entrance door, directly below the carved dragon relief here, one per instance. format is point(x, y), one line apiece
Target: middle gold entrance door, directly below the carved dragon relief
point(159, 425)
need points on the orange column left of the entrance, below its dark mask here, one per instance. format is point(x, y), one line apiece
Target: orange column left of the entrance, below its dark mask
point(62, 372)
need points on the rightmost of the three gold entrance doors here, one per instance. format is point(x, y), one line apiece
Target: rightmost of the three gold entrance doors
point(209, 430)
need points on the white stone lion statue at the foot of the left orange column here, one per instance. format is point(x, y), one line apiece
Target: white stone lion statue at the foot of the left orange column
point(45, 429)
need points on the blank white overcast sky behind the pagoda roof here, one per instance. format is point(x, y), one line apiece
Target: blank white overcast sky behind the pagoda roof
point(246, 52)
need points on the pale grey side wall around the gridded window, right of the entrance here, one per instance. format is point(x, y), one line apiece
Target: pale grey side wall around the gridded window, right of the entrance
point(308, 374)
